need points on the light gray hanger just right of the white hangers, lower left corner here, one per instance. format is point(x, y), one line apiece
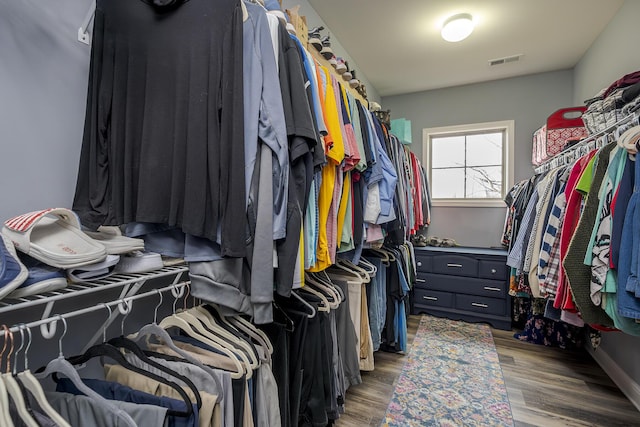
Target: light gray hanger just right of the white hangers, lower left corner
point(62, 366)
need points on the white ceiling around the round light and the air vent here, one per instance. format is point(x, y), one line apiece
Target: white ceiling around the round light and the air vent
point(398, 47)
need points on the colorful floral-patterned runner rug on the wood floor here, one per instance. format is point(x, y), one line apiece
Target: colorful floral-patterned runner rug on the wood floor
point(451, 378)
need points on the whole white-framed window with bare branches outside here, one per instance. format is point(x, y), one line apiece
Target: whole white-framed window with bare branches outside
point(469, 165)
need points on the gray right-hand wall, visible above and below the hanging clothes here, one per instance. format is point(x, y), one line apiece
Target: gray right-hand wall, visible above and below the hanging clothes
point(612, 55)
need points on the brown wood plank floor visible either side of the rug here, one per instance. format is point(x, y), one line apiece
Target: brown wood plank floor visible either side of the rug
point(547, 387)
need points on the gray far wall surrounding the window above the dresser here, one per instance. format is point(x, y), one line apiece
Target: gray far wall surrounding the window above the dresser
point(527, 100)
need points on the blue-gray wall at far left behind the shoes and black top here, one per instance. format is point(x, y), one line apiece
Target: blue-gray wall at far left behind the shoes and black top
point(43, 81)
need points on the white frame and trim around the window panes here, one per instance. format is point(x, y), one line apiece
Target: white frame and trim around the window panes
point(508, 126)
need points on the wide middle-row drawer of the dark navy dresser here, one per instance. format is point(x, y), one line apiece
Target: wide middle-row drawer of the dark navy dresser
point(462, 285)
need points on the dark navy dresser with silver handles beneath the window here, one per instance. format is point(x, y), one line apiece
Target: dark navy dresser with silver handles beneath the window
point(463, 283)
